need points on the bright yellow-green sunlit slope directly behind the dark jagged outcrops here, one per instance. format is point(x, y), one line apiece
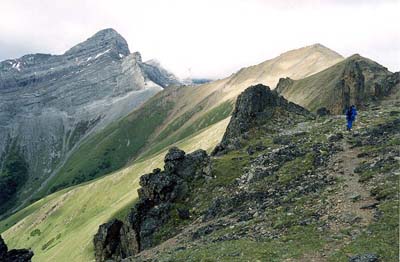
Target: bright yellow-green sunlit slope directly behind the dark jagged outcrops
point(60, 226)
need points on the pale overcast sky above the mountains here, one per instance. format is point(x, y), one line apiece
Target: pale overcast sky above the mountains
point(205, 38)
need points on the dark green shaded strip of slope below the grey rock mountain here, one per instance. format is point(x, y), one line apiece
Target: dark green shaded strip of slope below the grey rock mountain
point(112, 147)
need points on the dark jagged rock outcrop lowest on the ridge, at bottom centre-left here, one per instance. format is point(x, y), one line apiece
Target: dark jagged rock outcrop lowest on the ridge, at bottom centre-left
point(117, 240)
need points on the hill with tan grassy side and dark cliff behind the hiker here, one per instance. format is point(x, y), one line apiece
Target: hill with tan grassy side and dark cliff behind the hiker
point(356, 80)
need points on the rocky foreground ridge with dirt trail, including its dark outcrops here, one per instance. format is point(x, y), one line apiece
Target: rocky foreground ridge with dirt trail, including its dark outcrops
point(294, 187)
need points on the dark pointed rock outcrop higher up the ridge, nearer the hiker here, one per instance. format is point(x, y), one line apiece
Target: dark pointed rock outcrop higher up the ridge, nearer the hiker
point(255, 107)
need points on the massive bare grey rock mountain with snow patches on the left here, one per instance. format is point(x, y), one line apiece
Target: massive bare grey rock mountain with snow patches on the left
point(48, 103)
